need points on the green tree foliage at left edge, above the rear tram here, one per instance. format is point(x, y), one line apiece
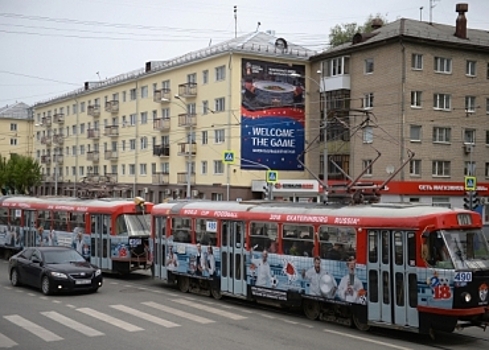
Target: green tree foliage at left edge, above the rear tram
point(19, 173)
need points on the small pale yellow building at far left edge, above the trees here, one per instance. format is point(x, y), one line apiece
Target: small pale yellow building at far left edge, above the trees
point(16, 124)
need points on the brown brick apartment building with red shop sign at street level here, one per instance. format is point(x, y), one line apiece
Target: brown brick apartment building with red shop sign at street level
point(413, 96)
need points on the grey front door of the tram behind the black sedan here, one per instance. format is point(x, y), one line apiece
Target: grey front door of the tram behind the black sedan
point(100, 241)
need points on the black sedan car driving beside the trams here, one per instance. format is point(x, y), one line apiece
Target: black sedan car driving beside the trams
point(54, 269)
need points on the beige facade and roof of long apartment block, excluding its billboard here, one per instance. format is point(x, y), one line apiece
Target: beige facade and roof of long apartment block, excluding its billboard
point(135, 128)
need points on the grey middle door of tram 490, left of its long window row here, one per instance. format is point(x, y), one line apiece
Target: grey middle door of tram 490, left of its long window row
point(233, 276)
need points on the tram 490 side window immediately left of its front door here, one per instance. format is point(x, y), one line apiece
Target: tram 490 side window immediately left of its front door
point(337, 243)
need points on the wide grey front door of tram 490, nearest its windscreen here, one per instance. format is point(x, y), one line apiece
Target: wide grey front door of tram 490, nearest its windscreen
point(392, 282)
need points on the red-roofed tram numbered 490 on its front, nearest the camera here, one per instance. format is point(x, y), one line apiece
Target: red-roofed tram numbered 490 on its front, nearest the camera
point(411, 267)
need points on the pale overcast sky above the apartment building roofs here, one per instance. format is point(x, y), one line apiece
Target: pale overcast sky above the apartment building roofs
point(51, 47)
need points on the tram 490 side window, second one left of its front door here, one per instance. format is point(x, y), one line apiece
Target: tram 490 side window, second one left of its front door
point(298, 240)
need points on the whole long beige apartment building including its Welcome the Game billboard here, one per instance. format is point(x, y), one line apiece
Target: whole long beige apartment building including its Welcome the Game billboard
point(203, 125)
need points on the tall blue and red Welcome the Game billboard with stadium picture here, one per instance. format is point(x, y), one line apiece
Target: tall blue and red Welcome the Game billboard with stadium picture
point(272, 115)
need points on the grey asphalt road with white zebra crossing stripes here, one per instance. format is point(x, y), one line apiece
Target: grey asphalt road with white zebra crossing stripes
point(140, 313)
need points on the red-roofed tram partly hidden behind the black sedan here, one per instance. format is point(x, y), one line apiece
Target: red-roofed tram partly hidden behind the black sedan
point(111, 233)
